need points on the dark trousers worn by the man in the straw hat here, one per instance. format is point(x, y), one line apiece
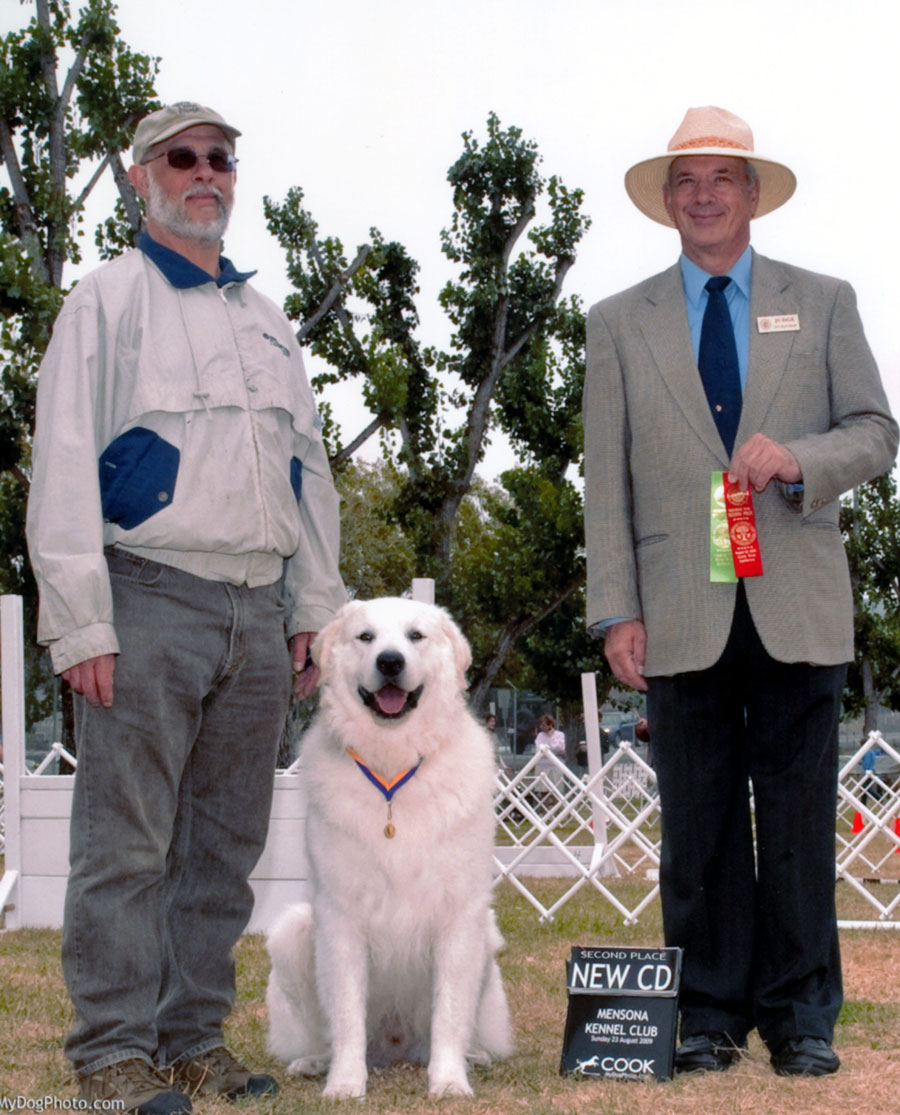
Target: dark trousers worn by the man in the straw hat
point(759, 930)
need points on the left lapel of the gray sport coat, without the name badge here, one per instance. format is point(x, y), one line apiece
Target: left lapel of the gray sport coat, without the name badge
point(663, 321)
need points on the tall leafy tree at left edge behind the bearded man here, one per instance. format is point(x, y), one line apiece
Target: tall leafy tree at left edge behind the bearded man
point(71, 94)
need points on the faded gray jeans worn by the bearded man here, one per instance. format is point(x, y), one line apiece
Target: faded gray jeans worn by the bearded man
point(171, 812)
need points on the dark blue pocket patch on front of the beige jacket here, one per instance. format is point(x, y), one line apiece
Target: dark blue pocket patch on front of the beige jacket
point(138, 474)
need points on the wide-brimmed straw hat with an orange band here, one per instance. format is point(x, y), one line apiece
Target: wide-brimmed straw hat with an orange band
point(708, 131)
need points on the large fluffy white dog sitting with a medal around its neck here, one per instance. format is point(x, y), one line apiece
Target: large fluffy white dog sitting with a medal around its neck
point(394, 959)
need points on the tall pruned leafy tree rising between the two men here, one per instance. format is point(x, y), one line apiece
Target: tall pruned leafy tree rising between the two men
point(504, 559)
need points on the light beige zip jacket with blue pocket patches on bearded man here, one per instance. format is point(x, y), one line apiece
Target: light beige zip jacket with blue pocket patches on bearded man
point(214, 380)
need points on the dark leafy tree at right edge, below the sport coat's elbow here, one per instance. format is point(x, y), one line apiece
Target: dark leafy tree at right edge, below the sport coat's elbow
point(872, 526)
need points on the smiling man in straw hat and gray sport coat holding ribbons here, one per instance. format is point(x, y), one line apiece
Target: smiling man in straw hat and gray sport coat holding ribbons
point(731, 375)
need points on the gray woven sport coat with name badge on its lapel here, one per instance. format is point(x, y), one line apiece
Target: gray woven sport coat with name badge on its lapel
point(651, 447)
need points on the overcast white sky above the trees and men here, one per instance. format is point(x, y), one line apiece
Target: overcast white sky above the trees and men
point(363, 104)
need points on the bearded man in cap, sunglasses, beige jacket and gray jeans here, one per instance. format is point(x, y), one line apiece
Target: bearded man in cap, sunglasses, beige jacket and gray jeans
point(183, 529)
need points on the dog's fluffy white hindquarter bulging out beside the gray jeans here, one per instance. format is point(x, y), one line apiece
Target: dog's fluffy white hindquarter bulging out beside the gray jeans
point(297, 1030)
